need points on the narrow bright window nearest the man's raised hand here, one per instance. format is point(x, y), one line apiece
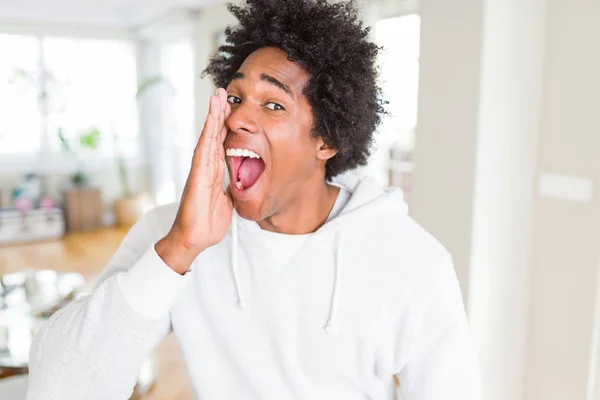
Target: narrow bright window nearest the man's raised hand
point(168, 112)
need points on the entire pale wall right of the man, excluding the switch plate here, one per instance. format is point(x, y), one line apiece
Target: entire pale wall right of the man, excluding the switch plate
point(510, 91)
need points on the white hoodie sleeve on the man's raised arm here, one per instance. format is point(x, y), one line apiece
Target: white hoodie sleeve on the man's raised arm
point(94, 347)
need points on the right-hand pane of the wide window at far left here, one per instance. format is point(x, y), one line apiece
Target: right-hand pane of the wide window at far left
point(91, 84)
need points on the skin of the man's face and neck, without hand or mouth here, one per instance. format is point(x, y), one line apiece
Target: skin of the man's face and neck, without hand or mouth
point(272, 117)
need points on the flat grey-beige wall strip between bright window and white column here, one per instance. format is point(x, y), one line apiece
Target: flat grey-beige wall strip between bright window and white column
point(442, 198)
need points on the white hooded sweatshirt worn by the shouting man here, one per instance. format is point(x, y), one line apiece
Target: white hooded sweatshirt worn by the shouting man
point(330, 315)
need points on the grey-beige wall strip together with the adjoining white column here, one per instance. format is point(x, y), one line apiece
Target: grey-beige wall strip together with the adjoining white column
point(479, 113)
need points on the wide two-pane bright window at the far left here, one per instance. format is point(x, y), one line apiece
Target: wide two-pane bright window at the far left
point(73, 85)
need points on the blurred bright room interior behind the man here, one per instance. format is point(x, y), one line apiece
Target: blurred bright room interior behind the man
point(494, 136)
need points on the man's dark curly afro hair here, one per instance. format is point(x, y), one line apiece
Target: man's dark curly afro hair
point(330, 42)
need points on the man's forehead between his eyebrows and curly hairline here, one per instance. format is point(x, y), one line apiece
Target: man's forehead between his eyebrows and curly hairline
point(274, 62)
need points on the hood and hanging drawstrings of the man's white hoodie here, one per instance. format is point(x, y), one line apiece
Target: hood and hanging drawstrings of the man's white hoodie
point(367, 199)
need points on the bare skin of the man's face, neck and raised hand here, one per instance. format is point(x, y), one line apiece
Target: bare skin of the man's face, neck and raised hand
point(265, 111)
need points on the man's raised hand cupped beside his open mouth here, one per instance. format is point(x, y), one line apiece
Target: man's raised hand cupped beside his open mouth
point(205, 209)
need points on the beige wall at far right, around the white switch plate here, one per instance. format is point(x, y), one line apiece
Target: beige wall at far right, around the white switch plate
point(566, 234)
